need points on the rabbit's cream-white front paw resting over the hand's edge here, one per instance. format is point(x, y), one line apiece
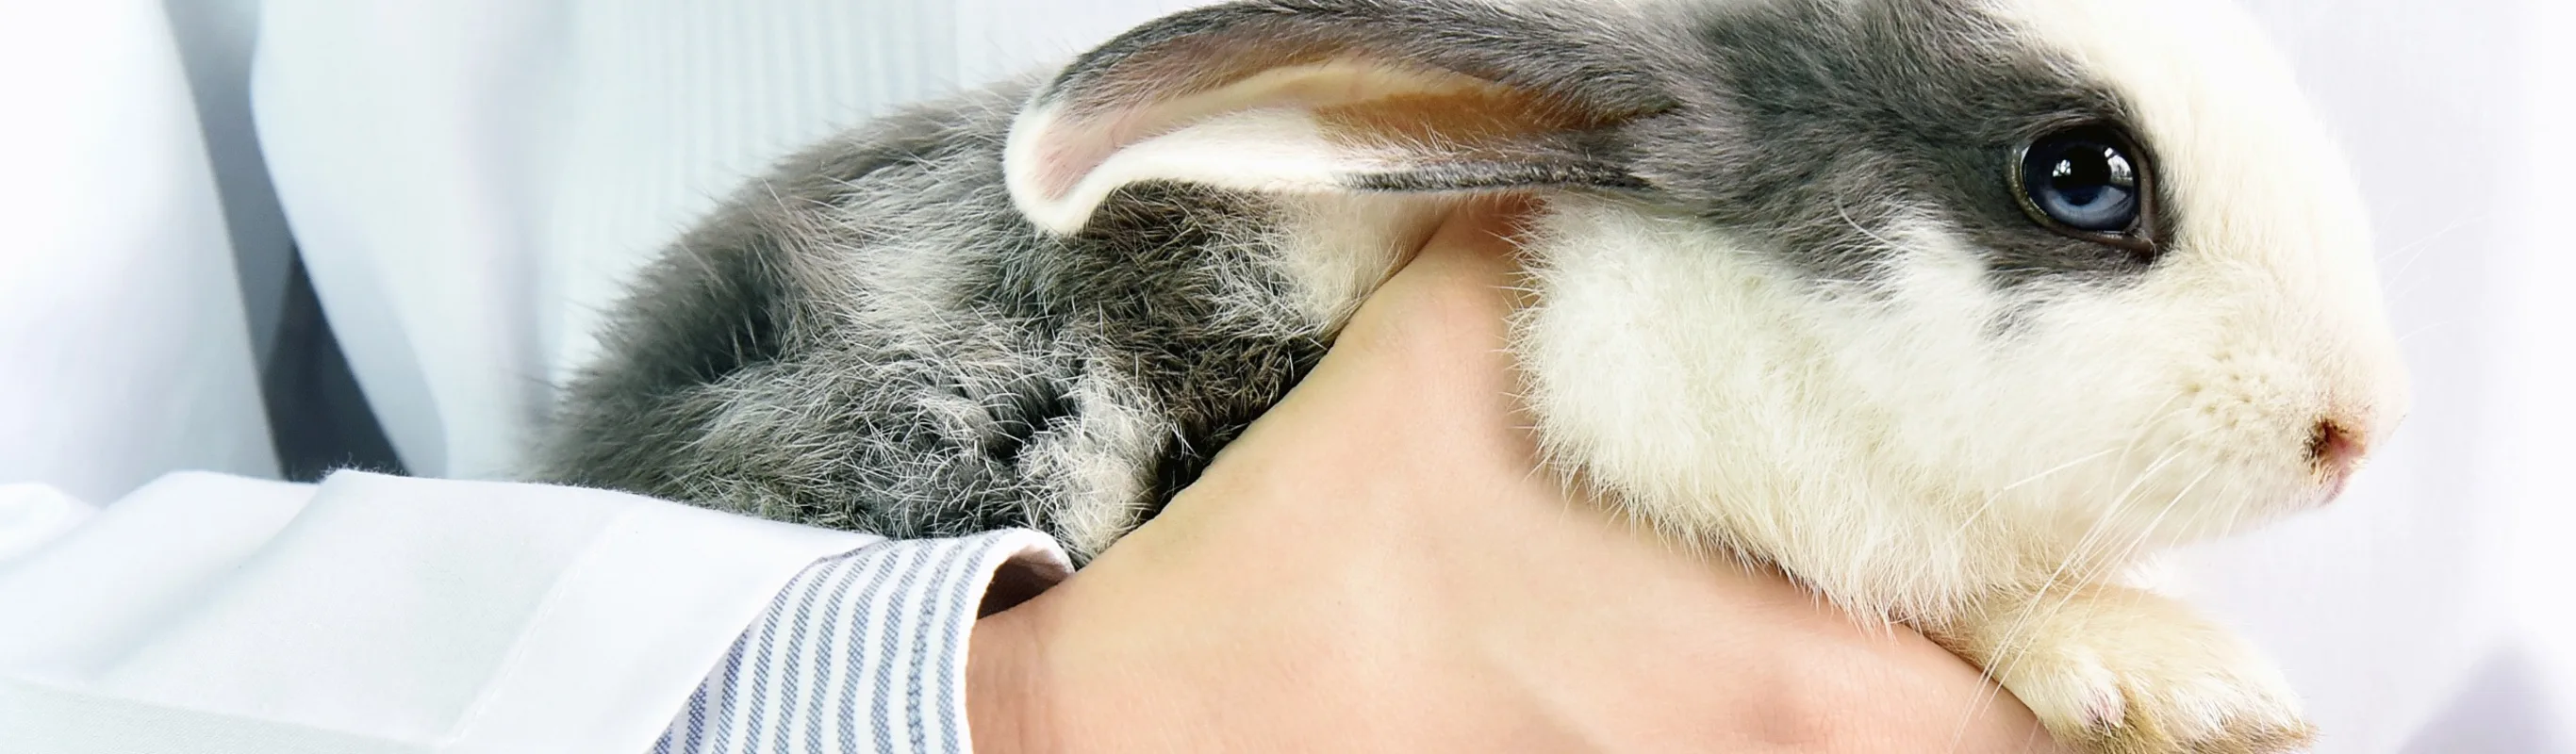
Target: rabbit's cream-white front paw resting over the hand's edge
point(2132, 673)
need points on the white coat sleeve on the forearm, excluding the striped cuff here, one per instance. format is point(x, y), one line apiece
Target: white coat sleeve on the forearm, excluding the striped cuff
point(377, 614)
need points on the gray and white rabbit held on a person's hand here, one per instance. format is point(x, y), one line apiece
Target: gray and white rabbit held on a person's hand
point(1949, 310)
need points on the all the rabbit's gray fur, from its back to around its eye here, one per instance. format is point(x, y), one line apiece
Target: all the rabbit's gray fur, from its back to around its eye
point(875, 338)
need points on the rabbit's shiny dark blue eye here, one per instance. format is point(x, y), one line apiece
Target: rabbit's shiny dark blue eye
point(2090, 184)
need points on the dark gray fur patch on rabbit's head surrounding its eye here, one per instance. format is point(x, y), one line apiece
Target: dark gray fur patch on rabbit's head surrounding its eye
point(1815, 125)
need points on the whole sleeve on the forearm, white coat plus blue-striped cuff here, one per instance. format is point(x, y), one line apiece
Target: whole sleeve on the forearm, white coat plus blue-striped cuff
point(375, 614)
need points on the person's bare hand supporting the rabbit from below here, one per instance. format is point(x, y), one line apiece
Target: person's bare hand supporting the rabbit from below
point(1379, 567)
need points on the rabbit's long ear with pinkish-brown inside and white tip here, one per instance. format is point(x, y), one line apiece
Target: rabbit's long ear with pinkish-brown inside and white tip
point(1331, 99)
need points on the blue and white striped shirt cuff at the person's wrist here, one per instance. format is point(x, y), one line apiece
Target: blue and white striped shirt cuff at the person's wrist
point(864, 652)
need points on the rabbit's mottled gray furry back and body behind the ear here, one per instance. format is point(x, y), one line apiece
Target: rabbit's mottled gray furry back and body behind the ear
point(875, 338)
